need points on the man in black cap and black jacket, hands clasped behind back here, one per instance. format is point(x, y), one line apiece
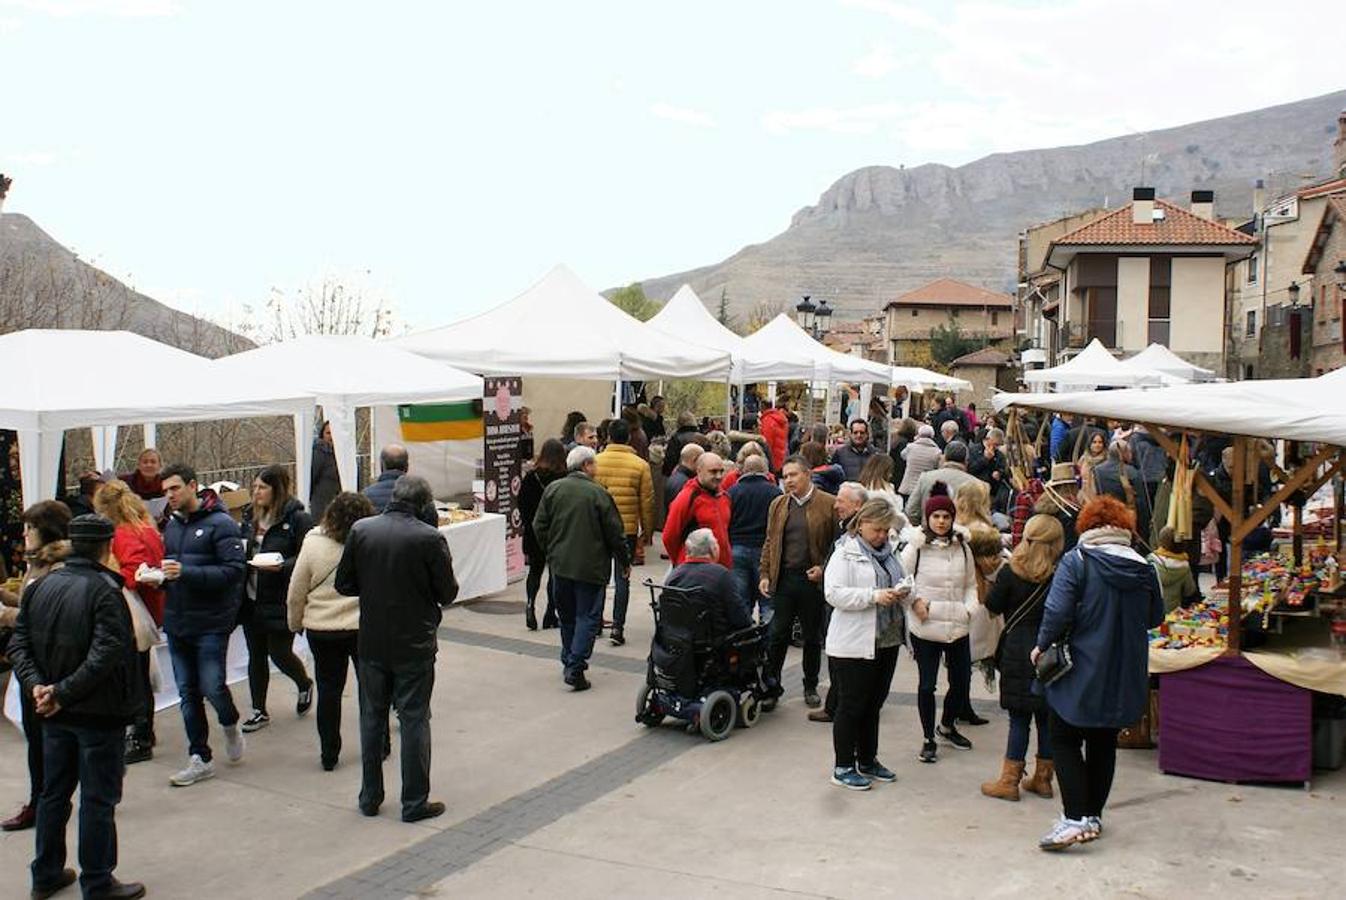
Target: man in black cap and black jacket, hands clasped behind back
point(75, 654)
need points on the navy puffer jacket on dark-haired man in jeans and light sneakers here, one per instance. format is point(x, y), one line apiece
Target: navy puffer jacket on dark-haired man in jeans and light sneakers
point(211, 550)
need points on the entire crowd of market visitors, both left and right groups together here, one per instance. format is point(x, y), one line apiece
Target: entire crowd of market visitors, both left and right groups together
point(851, 544)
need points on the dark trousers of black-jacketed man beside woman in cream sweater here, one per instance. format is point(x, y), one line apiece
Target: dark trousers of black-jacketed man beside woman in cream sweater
point(407, 688)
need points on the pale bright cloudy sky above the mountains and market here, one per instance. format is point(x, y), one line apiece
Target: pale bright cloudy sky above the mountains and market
point(442, 157)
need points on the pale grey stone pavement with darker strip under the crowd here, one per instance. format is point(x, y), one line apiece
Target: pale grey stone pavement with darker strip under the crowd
point(553, 793)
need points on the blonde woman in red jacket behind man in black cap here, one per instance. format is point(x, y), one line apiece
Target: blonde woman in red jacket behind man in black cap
point(137, 543)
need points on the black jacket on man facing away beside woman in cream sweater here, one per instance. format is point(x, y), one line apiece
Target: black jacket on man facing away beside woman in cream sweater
point(403, 574)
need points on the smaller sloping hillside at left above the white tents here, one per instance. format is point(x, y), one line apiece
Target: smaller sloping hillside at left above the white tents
point(46, 286)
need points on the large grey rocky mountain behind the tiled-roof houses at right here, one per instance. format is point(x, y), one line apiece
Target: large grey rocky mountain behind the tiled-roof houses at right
point(881, 231)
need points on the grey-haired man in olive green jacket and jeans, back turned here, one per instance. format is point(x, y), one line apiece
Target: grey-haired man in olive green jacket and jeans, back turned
point(582, 532)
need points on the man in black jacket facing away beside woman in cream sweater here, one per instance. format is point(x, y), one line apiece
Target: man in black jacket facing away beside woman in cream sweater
point(403, 574)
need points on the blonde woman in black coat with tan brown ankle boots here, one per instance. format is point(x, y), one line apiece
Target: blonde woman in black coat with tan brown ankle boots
point(1018, 595)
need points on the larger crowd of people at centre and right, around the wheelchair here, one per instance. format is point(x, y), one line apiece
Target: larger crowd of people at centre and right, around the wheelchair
point(890, 533)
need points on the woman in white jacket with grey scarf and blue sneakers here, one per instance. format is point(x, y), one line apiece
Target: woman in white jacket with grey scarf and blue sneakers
point(865, 585)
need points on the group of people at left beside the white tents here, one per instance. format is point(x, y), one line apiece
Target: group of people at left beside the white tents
point(106, 580)
